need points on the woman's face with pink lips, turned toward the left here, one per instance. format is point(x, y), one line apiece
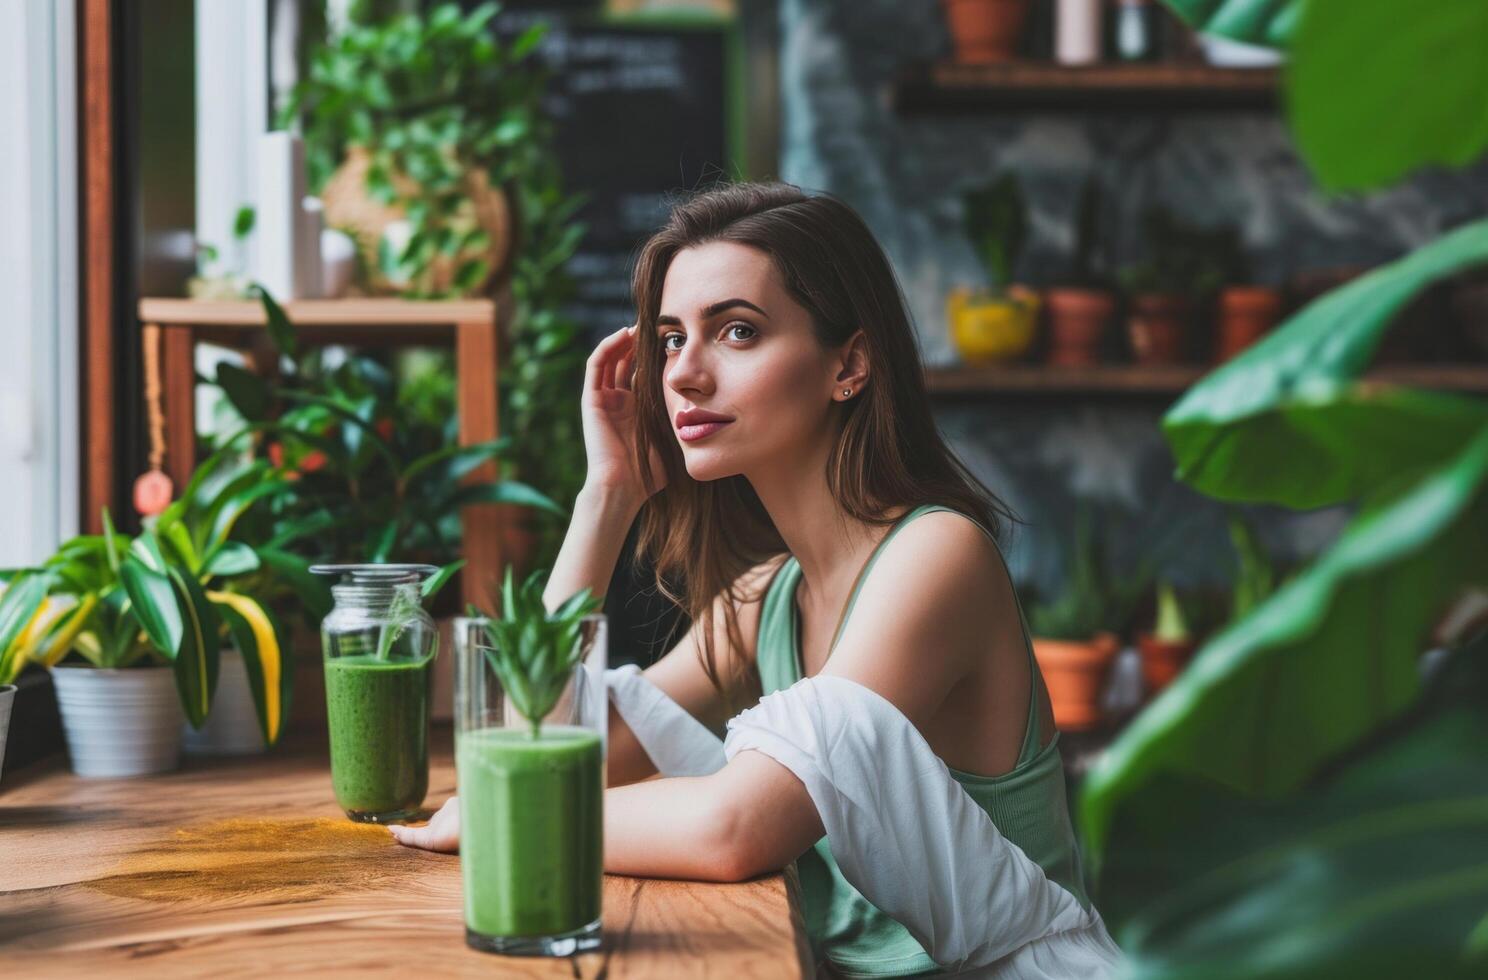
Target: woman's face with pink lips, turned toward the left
point(736, 346)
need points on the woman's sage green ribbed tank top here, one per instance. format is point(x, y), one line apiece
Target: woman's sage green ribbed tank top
point(1027, 804)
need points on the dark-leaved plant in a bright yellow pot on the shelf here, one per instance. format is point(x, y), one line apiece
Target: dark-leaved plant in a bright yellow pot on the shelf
point(995, 325)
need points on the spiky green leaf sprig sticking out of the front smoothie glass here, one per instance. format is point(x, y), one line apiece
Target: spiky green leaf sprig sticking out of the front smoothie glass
point(533, 652)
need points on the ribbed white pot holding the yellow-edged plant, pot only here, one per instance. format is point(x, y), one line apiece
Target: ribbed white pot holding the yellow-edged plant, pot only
point(120, 723)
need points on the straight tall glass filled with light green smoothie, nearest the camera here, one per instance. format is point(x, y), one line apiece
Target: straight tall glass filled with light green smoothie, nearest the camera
point(532, 819)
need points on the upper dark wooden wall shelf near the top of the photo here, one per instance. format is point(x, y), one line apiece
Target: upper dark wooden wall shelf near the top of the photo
point(1035, 86)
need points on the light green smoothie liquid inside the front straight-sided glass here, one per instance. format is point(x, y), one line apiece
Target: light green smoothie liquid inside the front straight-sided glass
point(530, 831)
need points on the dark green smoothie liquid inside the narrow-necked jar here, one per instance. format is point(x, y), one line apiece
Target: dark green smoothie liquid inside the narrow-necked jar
point(379, 719)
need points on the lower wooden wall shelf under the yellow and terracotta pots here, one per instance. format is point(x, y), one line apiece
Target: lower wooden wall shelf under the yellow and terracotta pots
point(1130, 380)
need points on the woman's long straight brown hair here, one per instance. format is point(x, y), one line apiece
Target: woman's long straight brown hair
point(705, 536)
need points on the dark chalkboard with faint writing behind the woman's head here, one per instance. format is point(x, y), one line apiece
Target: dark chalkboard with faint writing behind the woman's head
point(644, 109)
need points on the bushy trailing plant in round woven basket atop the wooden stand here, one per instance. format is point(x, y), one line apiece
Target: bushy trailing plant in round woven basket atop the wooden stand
point(444, 129)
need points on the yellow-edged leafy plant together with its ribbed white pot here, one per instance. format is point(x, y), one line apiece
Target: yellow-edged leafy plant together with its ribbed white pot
point(161, 599)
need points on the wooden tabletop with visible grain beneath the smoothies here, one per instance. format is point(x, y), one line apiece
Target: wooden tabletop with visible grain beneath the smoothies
point(248, 868)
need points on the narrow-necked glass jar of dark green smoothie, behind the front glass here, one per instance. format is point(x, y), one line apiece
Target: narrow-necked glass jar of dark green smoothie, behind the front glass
point(379, 649)
